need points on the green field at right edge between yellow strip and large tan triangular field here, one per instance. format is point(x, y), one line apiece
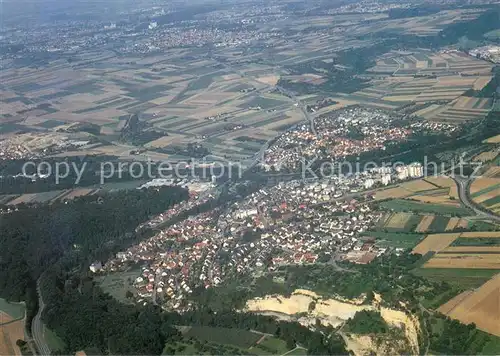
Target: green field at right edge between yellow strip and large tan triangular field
point(463, 278)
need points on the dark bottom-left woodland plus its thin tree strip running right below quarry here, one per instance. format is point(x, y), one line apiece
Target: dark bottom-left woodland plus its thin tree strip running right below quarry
point(84, 317)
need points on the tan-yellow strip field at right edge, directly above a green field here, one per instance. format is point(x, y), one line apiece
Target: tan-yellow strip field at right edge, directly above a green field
point(450, 260)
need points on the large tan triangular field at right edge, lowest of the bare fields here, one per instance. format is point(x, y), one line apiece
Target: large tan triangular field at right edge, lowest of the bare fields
point(481, 307)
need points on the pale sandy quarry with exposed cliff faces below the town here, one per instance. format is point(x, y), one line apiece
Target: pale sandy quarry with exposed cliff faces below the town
point(334, 312)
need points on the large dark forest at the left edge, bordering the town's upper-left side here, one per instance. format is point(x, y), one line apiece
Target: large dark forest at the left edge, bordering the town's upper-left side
point(90, 227)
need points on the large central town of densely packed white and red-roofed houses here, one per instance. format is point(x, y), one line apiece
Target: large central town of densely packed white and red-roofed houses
point(296, 222)
